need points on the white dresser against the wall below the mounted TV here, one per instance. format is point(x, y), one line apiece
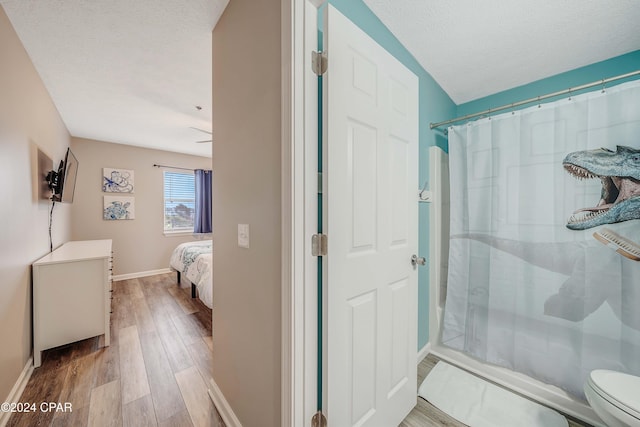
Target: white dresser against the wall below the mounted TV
point(71, 295)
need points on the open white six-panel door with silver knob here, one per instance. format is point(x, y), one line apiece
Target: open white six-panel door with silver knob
point(371, 218)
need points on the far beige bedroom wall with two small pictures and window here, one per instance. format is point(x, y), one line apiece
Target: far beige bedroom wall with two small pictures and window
point(139, 245)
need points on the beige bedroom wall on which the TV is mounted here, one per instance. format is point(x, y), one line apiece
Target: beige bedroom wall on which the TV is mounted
point(28, 119)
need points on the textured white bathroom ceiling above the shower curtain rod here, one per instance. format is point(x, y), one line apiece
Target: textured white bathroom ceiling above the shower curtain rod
point(477, 48)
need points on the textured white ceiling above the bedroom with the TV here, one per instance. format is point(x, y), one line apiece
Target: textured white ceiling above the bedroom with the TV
point(125, 71)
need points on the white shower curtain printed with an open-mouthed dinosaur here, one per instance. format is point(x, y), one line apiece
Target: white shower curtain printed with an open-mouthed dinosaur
point(544, 261)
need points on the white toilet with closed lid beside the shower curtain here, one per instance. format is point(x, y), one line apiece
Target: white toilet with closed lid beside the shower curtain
point(615, 397)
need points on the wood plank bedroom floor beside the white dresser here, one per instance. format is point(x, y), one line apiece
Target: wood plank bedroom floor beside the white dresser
point(155, 372)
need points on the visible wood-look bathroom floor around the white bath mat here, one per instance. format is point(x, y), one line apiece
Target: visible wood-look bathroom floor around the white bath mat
point(426, 415)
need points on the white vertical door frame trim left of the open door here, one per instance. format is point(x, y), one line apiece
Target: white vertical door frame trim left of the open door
point(299, 212)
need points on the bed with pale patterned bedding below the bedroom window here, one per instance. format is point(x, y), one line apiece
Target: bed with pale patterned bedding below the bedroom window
point(194, 261)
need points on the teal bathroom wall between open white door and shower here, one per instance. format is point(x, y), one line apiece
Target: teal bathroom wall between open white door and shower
point(435, 105)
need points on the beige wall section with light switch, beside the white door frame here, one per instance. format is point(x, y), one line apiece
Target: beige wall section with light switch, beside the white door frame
point(246, 190)
